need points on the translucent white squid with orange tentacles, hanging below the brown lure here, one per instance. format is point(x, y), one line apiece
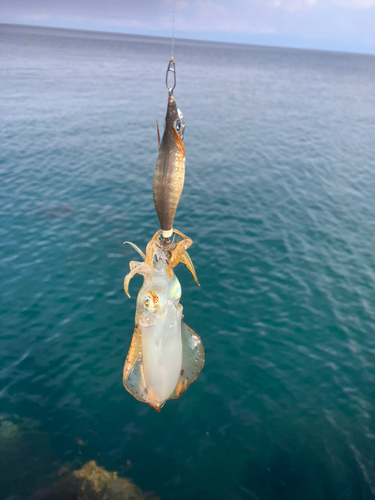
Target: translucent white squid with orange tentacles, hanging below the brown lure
point(165, 355)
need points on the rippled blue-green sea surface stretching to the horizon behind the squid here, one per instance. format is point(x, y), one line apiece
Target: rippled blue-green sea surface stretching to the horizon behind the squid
point(279, 200)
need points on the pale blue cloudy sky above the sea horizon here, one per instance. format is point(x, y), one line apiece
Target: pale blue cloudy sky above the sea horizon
point(342, 25)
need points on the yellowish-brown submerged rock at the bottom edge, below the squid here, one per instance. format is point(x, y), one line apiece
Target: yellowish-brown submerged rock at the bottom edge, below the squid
point(92, 482)
